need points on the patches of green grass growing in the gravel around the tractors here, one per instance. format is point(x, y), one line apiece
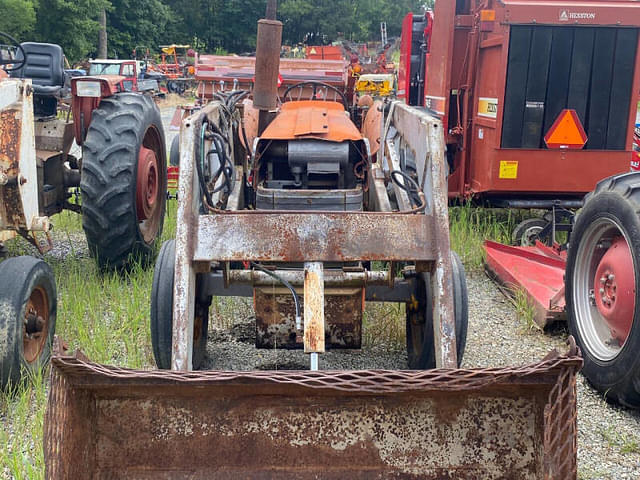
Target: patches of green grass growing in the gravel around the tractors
point(106, 316)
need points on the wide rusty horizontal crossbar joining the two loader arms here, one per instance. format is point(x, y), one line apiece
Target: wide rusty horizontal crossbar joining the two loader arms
point(299, 237)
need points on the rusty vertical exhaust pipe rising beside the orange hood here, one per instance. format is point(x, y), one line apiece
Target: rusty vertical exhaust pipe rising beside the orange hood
point(268, 46)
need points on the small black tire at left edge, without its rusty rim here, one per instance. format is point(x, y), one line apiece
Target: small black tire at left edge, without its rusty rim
point(18, 278)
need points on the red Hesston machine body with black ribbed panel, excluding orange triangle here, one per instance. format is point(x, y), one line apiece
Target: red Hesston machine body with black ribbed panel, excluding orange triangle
point(501, 73)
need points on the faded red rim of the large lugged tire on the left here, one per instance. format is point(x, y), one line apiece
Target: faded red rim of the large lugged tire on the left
point(150, 185)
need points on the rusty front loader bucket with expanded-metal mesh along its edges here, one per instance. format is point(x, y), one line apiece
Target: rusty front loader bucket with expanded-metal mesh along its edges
point(515, 422)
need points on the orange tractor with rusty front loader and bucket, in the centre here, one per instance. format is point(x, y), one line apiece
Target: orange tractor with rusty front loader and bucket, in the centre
point(308, 215)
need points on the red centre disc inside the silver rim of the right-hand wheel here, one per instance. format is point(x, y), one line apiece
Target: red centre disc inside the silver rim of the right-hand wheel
point(614, 289)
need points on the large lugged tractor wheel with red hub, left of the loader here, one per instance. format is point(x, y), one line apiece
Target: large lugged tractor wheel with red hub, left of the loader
point(124, 180)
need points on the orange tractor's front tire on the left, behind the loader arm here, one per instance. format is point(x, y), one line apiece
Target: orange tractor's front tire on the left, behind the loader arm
point(162, 312)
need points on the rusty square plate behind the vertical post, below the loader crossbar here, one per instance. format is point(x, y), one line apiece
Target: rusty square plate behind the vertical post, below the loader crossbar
point(275, 318)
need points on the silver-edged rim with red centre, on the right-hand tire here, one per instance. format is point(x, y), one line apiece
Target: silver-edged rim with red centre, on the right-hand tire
point(604, 289)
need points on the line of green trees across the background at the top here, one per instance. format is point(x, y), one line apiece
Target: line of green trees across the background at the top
point(208, 25)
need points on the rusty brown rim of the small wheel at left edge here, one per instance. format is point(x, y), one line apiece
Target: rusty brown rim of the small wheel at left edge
point(35, 325)
